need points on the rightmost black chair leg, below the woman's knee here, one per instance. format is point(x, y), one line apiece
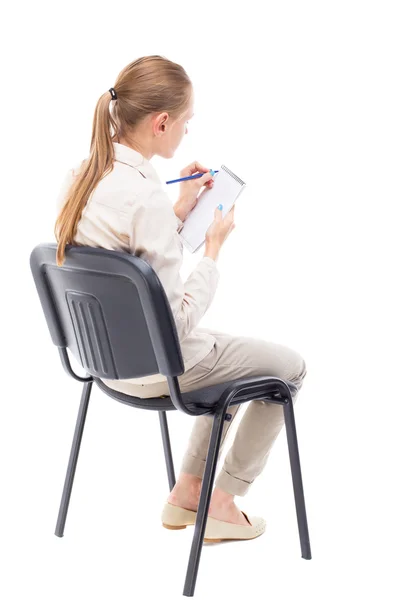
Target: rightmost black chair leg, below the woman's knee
point(297, 479)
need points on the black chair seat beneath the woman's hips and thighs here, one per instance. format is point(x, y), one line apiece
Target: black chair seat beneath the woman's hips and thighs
point(202, 398)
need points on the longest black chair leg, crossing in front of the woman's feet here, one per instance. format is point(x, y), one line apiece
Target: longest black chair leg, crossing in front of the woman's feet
point(204, 503)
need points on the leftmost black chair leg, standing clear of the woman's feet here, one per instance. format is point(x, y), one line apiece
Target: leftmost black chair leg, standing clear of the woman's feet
point(73, 459)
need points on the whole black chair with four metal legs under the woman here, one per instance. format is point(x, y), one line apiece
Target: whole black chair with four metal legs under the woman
point(110, 309)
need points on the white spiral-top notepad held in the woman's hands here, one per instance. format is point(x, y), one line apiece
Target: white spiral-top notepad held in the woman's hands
point(226, 189)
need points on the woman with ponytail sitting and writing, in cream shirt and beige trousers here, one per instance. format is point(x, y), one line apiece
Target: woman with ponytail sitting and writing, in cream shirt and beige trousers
point(114, 199)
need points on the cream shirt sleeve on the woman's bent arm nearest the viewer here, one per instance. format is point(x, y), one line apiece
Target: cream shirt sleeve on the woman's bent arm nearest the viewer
point(153, 236)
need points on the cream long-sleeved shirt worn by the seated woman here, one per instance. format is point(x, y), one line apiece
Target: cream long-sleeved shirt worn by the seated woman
point(129, 211)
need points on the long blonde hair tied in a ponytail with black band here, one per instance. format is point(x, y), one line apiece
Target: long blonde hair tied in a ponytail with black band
point(147, 85)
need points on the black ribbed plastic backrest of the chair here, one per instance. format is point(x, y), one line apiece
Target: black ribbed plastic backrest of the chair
point(110, 309)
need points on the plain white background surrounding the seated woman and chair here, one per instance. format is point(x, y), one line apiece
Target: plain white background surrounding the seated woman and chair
point(301, 100)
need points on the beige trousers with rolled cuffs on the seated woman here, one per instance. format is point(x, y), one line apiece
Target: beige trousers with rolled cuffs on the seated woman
point(234, 357)
